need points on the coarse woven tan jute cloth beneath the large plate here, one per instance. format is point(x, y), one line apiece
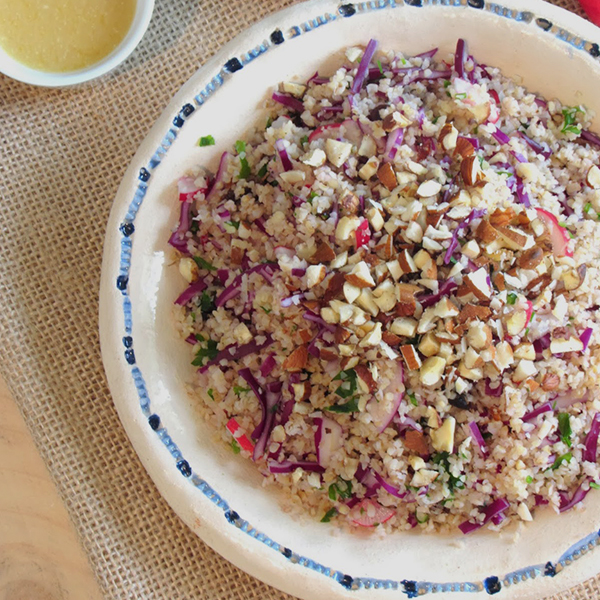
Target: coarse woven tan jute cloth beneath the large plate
point(62, 156)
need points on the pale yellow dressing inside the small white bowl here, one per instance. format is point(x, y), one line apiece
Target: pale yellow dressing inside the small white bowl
point(58, 36)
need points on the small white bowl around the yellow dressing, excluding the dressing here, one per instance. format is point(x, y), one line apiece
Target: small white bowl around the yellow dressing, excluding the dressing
point(17, 70)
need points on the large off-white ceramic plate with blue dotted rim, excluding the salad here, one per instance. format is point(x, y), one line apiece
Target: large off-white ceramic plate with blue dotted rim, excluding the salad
point(219, 496)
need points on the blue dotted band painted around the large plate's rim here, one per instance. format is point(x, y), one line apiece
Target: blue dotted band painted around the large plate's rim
point(492, 584)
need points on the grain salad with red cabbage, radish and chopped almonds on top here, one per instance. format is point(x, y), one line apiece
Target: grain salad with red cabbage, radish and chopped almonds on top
point(393, 294)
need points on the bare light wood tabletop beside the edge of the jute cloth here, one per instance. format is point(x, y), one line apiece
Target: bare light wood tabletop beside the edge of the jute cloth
point(40, 556)
